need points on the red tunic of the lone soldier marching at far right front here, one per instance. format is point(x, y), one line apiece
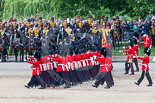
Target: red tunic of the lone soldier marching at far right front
point(145, 63)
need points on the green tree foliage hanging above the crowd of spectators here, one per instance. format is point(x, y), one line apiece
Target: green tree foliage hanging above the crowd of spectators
point(72, 8)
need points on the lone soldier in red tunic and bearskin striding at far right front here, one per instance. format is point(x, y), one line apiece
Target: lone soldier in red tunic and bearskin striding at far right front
point(145, 67)
